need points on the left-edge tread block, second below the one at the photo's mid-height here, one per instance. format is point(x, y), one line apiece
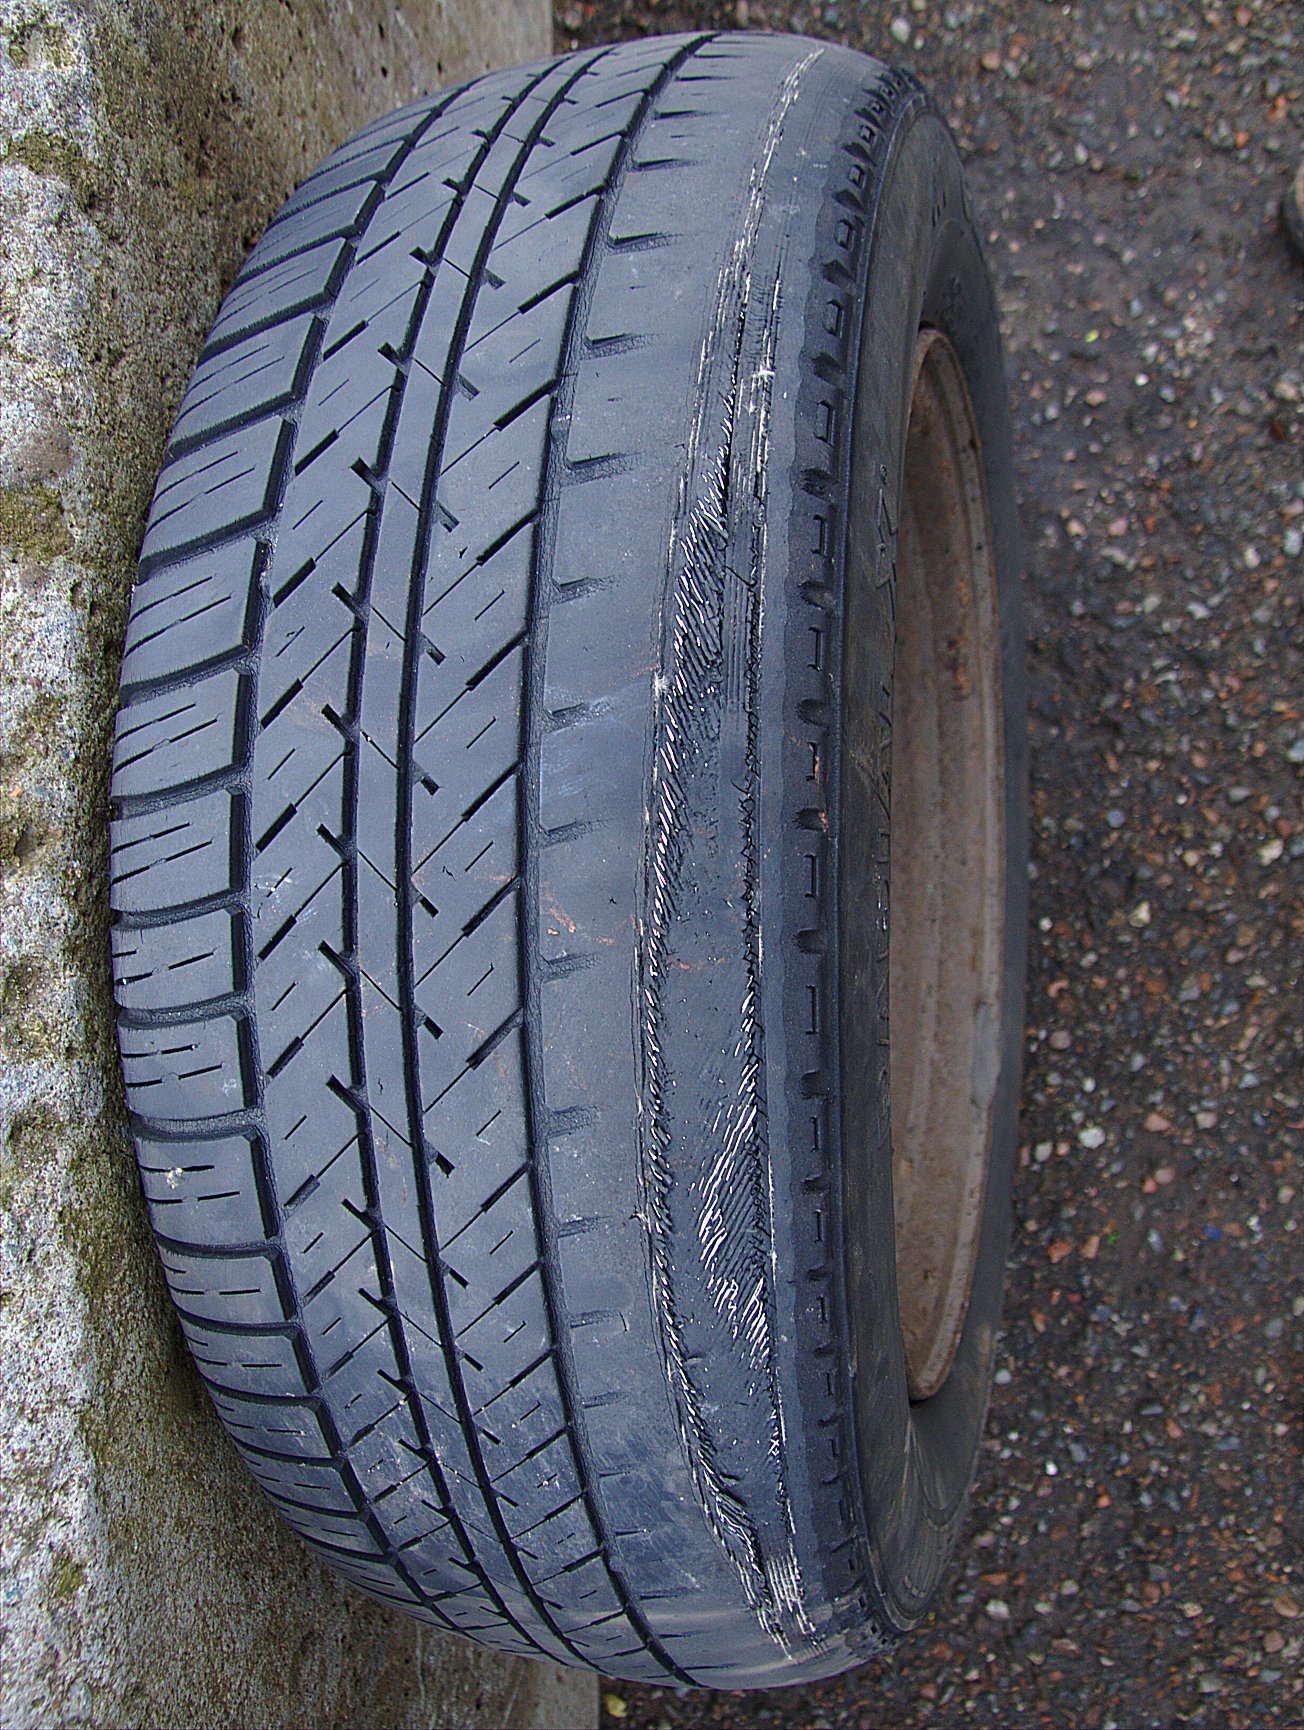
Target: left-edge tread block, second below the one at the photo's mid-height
point(186, 1070)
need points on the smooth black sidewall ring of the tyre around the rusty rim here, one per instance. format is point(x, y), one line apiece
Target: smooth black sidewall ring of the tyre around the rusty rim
point(924, 269)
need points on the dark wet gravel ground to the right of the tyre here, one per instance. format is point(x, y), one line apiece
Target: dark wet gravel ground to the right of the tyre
point(1135, 1539)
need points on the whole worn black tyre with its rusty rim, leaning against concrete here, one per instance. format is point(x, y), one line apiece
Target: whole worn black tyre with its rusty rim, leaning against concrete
point(502, 855)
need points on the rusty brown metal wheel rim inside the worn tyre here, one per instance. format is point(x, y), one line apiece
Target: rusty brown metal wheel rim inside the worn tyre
point(947, 866)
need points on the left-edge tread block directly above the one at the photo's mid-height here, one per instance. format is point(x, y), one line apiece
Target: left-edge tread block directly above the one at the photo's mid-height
point(181, 734)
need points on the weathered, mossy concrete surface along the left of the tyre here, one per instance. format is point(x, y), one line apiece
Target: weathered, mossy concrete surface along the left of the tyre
point(146, 144)
